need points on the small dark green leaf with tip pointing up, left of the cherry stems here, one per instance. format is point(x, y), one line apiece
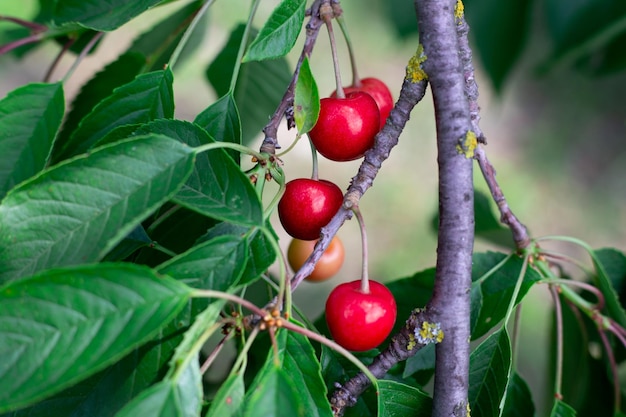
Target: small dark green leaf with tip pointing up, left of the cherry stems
point(221, 121)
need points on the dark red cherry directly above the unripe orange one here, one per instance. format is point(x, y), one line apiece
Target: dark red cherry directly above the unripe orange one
point(307, 206)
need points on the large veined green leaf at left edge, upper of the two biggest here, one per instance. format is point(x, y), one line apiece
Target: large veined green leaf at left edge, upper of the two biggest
point(78, 211)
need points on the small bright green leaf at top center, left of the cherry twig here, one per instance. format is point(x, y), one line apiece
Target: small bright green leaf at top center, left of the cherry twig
point(280, 32)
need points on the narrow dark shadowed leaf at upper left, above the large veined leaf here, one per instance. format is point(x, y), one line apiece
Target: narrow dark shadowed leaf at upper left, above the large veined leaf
point(114, 75)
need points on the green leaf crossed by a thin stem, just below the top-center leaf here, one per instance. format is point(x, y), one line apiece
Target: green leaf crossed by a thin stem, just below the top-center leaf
point(259, 89)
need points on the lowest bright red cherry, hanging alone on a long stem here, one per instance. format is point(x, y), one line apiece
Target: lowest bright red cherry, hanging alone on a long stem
point(359, 321)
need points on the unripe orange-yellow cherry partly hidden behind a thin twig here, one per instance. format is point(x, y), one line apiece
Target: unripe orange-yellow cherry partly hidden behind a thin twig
point(328, 265)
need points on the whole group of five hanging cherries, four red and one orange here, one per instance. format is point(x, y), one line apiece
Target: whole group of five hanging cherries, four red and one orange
point(360, 314)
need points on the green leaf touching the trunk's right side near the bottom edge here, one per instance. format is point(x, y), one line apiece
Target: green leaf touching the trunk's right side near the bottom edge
point(490, 364)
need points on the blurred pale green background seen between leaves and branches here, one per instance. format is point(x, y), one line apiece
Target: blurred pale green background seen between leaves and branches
point(556, 135)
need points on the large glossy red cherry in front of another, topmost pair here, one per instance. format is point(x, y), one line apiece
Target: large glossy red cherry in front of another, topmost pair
point(346, 127)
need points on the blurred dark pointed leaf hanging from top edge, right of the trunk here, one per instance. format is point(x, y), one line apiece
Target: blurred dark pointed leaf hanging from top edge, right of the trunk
point(500, 31)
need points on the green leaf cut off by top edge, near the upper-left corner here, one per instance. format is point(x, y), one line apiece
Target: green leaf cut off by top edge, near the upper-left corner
point(99, 15)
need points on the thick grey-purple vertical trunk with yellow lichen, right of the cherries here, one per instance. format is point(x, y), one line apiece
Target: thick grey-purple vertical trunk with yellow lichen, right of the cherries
point(437, 22)
